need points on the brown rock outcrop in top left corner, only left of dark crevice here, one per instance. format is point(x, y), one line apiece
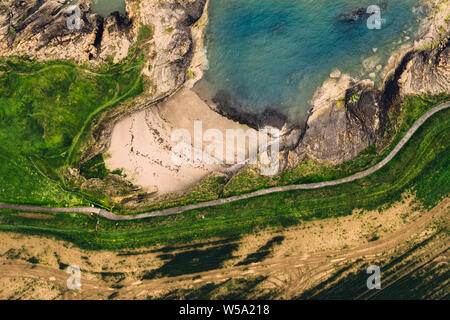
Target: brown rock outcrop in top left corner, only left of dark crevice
point(37, 27)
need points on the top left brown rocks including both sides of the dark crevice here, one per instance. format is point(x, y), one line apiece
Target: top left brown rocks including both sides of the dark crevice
point(41, 29)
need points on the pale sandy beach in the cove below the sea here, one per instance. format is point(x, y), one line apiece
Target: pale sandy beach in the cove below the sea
point(141, 144)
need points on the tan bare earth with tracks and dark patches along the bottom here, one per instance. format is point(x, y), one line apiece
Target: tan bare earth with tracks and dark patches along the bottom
point(290, 261)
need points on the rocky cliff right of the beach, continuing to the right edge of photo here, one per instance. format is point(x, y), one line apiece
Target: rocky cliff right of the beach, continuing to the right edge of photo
point(349, 116)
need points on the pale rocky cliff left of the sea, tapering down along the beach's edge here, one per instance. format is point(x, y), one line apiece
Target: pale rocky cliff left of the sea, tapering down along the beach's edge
point(170, 55)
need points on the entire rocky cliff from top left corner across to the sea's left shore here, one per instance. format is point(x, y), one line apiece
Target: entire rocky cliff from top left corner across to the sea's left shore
point(39, 29)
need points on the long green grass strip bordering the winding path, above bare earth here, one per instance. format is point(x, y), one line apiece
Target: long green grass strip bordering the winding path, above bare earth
point(422, 166)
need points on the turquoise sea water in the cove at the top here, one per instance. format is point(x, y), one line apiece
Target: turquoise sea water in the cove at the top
point(276, 53)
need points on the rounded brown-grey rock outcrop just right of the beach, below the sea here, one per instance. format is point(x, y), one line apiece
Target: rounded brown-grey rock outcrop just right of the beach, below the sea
point(340, 131)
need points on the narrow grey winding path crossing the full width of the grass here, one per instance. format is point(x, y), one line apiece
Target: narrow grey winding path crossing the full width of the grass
point(171, 211)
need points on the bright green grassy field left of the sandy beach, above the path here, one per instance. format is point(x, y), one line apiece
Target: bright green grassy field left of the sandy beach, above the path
point(45, 110)
